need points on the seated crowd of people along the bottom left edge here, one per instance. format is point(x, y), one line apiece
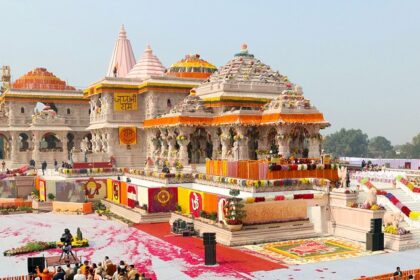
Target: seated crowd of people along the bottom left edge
point(93, 271)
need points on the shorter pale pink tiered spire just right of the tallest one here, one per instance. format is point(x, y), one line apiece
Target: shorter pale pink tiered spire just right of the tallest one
point(147, 66)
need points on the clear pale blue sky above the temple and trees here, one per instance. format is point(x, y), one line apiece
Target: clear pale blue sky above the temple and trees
point(357, 61)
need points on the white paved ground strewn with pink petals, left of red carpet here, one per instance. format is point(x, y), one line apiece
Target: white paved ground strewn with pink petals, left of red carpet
point(159, 259)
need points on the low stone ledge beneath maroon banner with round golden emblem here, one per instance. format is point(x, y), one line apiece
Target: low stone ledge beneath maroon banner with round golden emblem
point(135, 215)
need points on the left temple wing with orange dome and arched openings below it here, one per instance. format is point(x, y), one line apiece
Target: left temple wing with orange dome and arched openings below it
point(41, 118)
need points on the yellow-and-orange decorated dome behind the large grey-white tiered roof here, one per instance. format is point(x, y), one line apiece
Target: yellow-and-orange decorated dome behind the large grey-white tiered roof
point(192, 66)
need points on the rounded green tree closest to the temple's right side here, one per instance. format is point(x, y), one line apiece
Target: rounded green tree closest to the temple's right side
point(350, 143)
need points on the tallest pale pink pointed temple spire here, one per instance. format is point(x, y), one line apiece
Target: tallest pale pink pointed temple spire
point(122, 59)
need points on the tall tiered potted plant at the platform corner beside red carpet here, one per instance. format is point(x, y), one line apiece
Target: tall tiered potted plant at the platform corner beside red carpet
point(234, 210)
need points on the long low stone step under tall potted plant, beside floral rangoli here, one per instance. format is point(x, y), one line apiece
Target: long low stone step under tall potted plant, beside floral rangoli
point(253, 234)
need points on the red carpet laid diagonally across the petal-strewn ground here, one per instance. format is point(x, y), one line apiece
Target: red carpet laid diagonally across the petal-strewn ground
point(230, 257)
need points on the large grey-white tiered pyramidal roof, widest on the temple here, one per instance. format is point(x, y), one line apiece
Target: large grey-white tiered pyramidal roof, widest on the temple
point(245, 68)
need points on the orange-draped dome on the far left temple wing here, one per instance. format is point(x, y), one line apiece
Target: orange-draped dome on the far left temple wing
point(40, 79)
